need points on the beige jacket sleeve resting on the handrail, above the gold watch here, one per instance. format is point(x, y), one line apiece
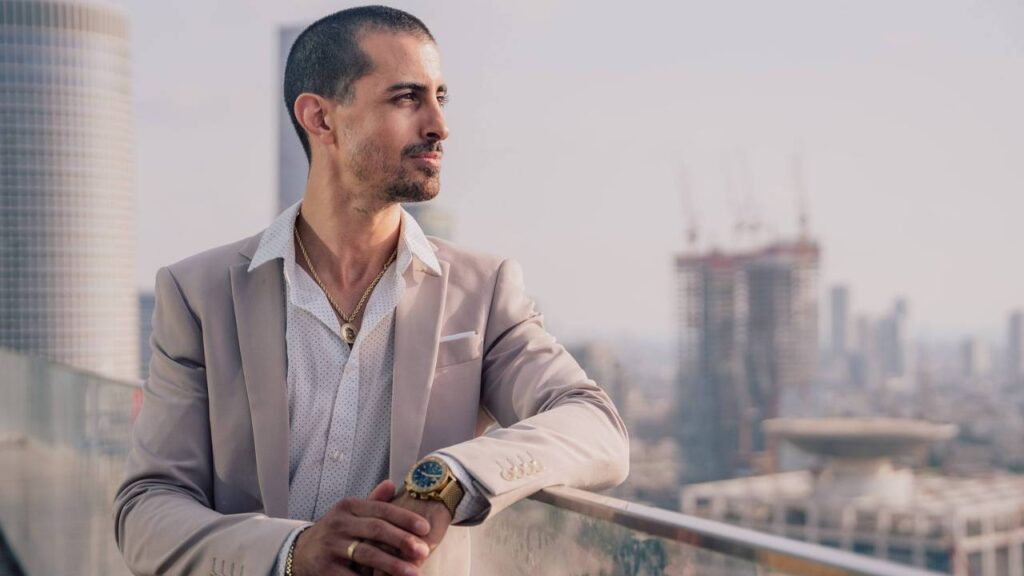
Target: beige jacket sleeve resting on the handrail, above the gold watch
point(559, 428)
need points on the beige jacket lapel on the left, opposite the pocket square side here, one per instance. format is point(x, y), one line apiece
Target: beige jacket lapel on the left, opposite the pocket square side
point(260, 314)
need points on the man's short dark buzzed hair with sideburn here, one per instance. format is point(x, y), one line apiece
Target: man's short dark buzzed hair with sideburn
point(326, 59)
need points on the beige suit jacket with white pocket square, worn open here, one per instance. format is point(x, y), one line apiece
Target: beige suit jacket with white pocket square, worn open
point(207, 478)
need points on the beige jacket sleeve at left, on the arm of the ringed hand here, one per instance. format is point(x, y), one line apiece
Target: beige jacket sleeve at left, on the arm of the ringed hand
point(164, 521)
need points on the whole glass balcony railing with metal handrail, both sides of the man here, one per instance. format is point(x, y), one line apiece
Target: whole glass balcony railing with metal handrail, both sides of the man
point(64, 438)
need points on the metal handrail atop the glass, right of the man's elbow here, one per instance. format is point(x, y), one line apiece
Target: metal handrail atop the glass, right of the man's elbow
point(789, 556)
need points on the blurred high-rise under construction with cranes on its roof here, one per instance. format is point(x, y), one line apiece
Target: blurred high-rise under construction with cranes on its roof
point(749, 342)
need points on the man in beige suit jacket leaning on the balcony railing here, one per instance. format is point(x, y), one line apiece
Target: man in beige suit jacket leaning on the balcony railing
point(319, 393)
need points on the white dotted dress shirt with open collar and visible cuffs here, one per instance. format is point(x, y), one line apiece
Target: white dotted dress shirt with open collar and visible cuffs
point(339, 399)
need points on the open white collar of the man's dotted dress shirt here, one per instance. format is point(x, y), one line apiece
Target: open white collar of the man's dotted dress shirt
point(279, 242)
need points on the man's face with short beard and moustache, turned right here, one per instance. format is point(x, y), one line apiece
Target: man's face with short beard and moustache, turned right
point(391, 135)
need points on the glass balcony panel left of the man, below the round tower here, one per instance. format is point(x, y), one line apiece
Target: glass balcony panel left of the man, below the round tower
point(64, 439)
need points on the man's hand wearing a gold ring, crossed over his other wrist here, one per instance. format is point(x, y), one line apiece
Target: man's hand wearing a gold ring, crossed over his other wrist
point(378, 524)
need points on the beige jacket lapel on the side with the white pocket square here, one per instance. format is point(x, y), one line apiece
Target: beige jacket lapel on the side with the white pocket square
point(418, 327)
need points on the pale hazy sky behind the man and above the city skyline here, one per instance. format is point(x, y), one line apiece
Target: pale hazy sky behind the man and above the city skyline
point(572, 124)
